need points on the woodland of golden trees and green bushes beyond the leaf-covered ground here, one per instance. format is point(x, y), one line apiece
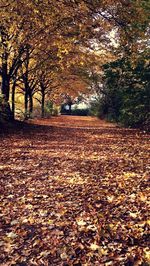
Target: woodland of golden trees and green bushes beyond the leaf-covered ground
point(57, 51)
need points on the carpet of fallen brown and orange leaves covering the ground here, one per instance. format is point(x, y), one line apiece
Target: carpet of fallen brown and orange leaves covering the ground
point(73, 191)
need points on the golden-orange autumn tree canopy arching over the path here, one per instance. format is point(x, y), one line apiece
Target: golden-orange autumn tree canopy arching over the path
point(58, 39)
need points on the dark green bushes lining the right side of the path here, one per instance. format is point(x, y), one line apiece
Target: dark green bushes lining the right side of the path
point(127, 94)
